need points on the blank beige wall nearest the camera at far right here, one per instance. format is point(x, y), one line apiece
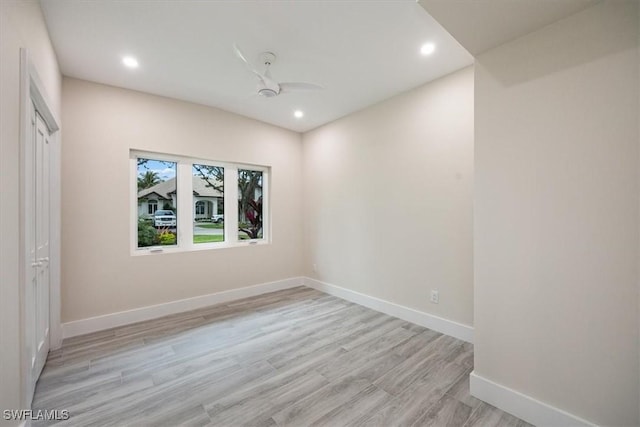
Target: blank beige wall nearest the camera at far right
point(556, 214)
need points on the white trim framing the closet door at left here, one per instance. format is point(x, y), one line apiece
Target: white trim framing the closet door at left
point(32, 91)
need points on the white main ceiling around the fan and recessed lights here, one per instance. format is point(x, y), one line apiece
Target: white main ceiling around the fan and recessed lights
point(361, 51)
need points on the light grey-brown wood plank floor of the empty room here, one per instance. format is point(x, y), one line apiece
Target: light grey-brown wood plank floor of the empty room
point(296, 357)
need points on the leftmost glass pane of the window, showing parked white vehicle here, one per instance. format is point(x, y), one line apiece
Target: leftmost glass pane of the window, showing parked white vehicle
point(156, 178)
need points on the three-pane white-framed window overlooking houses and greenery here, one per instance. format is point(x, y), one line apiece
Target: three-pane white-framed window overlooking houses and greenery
point(179, 203)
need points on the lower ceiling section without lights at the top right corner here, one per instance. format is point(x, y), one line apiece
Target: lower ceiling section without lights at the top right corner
point(480, 25)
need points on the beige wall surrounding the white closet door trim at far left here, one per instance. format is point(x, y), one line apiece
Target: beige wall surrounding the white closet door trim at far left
point(21, 25)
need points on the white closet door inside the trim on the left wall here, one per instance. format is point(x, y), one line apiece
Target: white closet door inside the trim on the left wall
point(37, 233)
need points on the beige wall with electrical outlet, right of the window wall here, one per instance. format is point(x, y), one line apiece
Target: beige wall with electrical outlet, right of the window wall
point(388, 199)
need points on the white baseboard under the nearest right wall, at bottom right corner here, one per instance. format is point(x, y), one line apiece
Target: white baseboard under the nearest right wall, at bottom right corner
point(521, 405)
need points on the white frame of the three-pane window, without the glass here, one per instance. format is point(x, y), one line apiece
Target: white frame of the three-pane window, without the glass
point(186, 207)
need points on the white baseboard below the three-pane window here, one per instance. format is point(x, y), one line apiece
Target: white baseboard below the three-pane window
point(107, 321)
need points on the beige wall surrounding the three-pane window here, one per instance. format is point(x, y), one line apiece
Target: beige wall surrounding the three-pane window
point(99, 274)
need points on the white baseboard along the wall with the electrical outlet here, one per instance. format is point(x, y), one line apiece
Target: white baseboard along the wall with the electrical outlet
point(447, 327)
